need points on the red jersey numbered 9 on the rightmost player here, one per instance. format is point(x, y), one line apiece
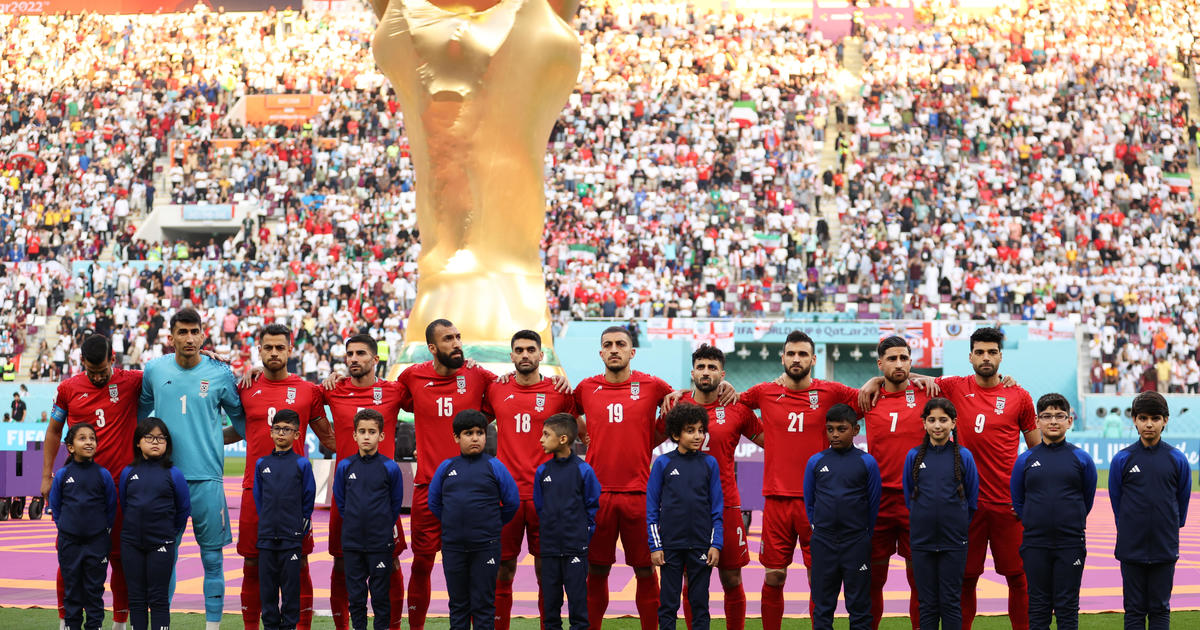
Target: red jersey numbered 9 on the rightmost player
point(991, 424)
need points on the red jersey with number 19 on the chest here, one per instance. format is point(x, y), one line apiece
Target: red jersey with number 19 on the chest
point(622, 425)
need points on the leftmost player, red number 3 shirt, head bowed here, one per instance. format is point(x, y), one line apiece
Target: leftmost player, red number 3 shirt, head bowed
point(107, 399)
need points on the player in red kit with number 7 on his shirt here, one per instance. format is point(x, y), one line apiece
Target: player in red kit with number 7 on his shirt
point(893, 429)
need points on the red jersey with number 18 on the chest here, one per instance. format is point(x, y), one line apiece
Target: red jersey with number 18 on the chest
point(520, 412)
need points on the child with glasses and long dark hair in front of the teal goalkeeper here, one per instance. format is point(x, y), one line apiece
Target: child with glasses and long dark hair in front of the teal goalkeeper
point(155, 506)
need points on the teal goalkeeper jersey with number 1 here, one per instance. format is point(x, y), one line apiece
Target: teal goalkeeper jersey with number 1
point(190, 403)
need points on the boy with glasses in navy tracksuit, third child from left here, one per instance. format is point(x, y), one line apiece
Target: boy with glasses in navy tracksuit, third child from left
point(285, 491)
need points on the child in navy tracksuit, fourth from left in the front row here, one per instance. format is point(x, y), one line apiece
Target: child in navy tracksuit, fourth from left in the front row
point(370, 494)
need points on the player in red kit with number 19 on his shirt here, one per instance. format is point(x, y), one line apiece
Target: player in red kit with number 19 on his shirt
point(621, 407)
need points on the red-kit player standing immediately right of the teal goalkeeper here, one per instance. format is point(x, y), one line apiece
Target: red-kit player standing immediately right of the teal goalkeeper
point(274, 392)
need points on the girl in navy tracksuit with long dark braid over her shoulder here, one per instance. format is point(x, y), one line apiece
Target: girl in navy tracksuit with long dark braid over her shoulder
point(941, 489)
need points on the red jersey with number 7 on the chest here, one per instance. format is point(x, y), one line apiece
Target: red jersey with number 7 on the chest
point(893, 429)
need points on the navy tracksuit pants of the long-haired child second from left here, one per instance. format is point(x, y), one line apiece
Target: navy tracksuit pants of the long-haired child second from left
point(148, 579)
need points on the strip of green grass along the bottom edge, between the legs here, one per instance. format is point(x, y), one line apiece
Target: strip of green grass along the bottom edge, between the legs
point(49, 620)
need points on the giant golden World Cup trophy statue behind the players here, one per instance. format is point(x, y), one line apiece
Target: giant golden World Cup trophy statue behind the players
point(481, 85)
